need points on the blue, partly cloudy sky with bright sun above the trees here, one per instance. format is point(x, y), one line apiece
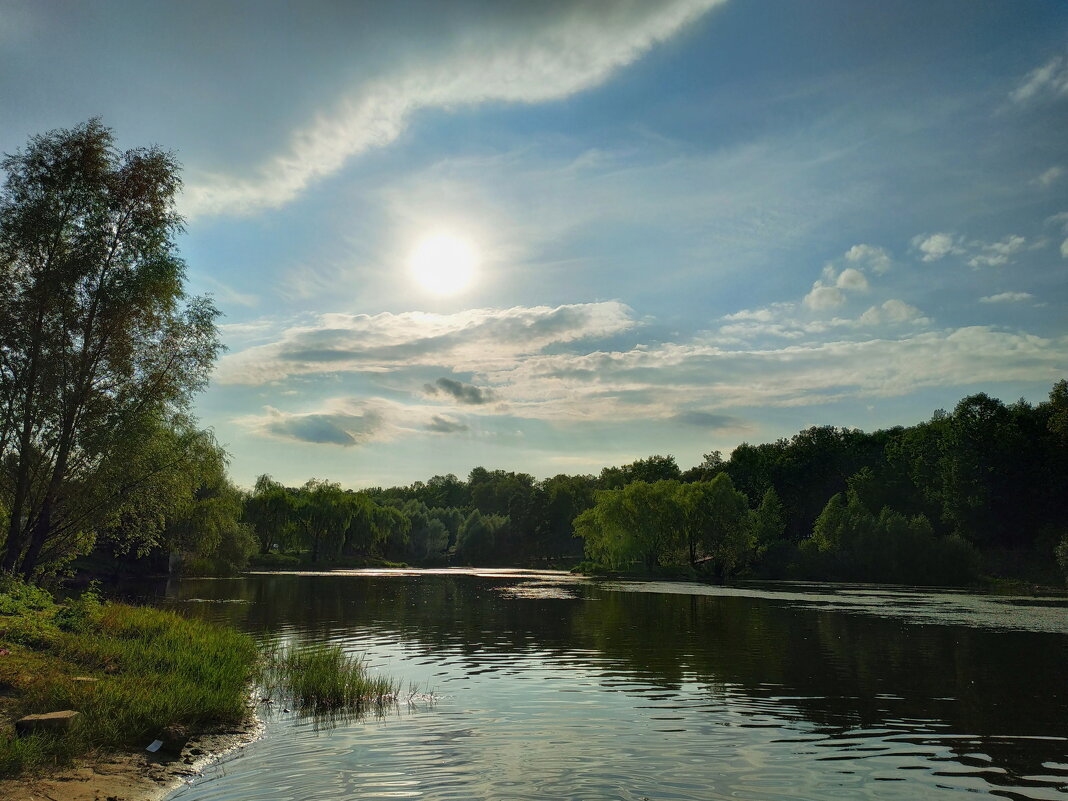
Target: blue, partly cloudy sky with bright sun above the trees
point(553, 237)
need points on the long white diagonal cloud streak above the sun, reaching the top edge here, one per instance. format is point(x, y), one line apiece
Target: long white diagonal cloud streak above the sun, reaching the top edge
point(553, 58)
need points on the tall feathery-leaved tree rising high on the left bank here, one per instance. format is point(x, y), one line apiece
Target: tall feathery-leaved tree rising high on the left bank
point(99, 342)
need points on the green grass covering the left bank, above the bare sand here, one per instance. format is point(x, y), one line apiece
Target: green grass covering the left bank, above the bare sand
point(146, 670)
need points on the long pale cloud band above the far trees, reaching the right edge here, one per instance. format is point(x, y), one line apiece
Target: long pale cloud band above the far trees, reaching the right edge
point(791, 375)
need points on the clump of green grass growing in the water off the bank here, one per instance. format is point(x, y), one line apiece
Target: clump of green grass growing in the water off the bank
point(324, 679)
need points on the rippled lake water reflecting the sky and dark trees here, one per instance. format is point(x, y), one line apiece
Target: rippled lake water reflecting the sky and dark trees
point(552, 688)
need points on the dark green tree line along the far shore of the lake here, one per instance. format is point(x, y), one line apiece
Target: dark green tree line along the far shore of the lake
point(979, 490)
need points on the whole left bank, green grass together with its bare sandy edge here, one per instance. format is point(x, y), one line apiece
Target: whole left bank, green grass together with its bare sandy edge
point(132, 676)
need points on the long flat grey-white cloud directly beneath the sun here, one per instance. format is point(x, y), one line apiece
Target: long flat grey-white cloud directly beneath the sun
point(466, 341)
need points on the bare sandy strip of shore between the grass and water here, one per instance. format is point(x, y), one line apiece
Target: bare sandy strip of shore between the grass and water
point(132, 777)
